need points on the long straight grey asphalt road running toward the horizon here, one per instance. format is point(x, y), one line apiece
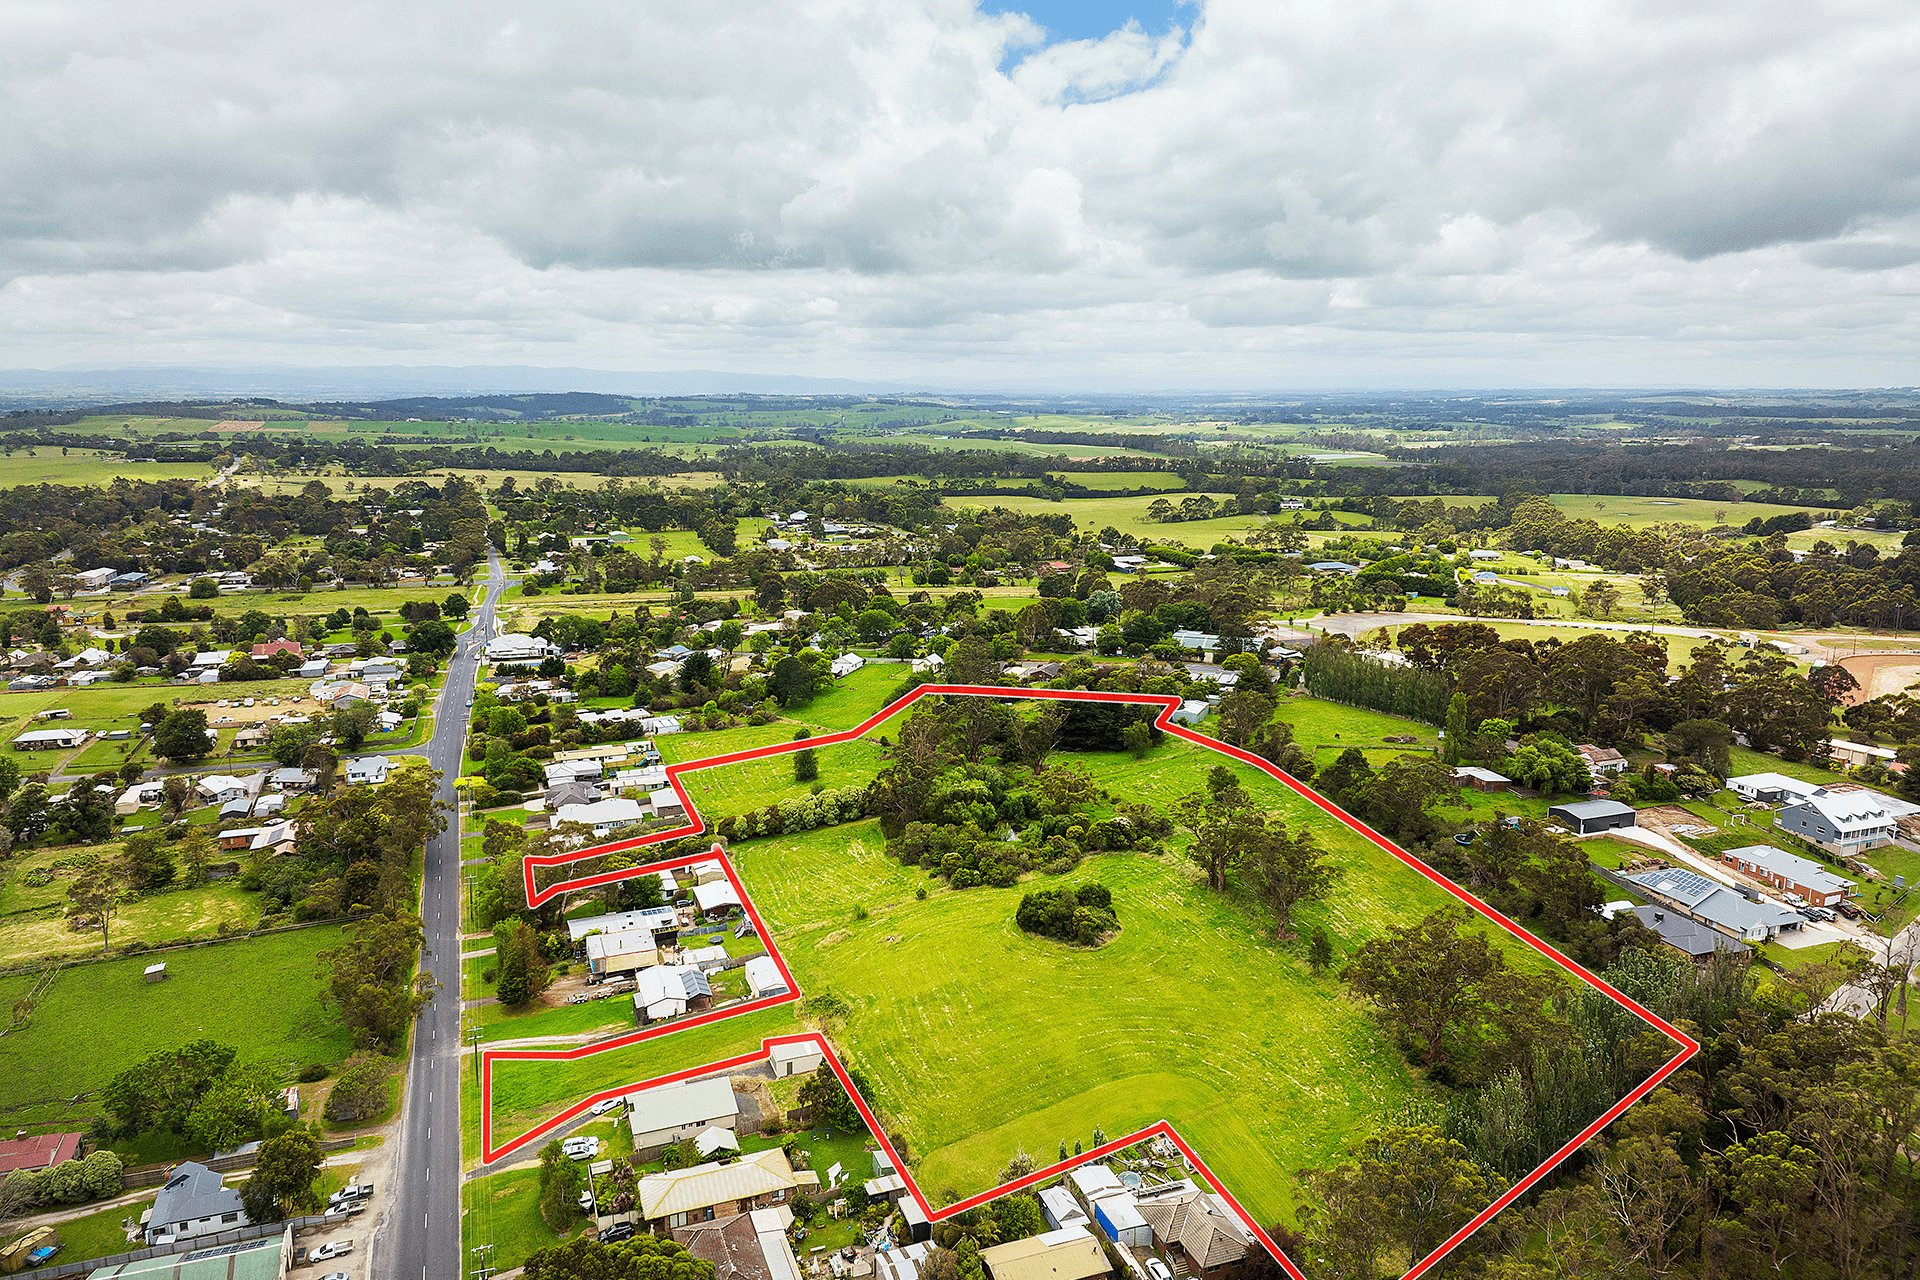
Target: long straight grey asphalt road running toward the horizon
point(421, 1233)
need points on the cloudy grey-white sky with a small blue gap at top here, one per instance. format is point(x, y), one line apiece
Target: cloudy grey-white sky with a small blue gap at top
point(1234, 193)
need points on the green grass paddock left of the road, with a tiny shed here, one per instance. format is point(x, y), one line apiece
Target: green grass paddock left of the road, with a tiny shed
point(254, 993)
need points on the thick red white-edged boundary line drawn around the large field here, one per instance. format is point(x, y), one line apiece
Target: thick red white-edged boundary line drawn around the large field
point(1168, 705)
